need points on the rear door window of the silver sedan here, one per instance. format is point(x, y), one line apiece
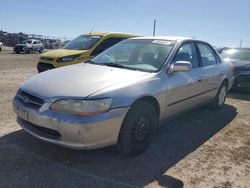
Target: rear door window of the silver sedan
point(207, 55)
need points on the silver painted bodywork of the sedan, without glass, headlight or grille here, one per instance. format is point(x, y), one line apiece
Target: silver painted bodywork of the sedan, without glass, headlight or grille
point(174, 93)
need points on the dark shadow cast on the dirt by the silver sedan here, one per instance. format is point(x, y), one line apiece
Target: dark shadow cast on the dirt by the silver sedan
point(176, 139)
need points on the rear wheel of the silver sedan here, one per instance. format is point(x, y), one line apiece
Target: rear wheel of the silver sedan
point(220, 97)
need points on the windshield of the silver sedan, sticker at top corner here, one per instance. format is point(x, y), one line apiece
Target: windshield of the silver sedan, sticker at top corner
point(137, 54)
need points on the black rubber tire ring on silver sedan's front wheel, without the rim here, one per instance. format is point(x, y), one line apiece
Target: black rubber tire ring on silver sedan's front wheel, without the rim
point(125, 144)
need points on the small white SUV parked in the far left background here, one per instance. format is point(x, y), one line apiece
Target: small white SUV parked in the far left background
point(29, 46)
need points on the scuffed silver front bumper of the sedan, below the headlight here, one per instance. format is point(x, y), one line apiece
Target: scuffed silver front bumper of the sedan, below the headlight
point(78, 132)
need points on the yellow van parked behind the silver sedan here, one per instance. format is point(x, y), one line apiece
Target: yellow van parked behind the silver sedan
point(80, 49)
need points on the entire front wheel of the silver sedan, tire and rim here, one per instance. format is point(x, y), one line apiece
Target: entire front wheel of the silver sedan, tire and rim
point(138, 129)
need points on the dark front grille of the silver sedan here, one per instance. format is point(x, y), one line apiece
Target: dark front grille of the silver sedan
point(29, 100)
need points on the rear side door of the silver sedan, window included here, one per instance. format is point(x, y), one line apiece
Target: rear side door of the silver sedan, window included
point(211, 69)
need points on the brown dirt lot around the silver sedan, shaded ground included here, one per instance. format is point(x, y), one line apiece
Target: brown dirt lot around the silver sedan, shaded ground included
point(202, 148)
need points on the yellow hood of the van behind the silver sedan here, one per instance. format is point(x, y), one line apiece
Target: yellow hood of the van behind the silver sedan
point(62, 53)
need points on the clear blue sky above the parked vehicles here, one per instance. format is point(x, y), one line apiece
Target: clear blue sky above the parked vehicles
point(220, 22)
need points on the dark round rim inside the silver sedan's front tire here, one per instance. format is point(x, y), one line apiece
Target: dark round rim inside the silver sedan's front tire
point(140, 130)
